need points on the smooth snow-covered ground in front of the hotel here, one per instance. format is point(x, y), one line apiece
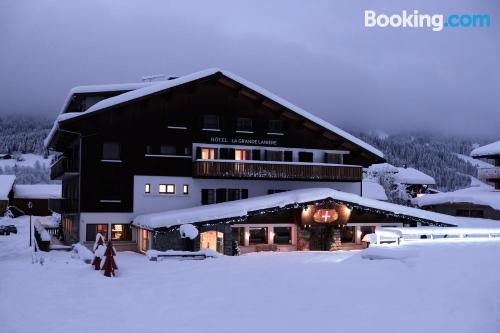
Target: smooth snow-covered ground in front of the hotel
point(430, 287)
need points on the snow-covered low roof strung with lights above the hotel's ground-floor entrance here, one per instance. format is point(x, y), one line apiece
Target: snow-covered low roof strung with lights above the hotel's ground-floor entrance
point(241, 208)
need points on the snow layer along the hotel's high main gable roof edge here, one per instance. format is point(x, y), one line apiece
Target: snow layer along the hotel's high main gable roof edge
point(161, 86)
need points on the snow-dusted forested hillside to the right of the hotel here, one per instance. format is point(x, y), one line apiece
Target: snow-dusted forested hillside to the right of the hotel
point(432, 154)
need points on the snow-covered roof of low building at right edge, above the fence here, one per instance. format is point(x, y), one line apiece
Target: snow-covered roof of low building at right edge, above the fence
point(480, 195)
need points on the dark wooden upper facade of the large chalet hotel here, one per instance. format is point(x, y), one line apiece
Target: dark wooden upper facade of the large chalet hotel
point(158, 134)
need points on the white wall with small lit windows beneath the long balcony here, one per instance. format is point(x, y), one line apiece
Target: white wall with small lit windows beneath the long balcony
point(155, 202)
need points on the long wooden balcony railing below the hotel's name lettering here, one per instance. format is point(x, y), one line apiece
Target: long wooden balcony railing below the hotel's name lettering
point(275, 170)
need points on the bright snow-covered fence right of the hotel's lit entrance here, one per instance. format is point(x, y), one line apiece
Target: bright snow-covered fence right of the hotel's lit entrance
point(411, 233)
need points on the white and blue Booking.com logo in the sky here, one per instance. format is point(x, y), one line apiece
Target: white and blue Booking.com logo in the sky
point(435, 21)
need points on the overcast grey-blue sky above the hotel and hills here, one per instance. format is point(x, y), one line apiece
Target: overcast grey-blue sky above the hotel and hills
point(316, 54)
